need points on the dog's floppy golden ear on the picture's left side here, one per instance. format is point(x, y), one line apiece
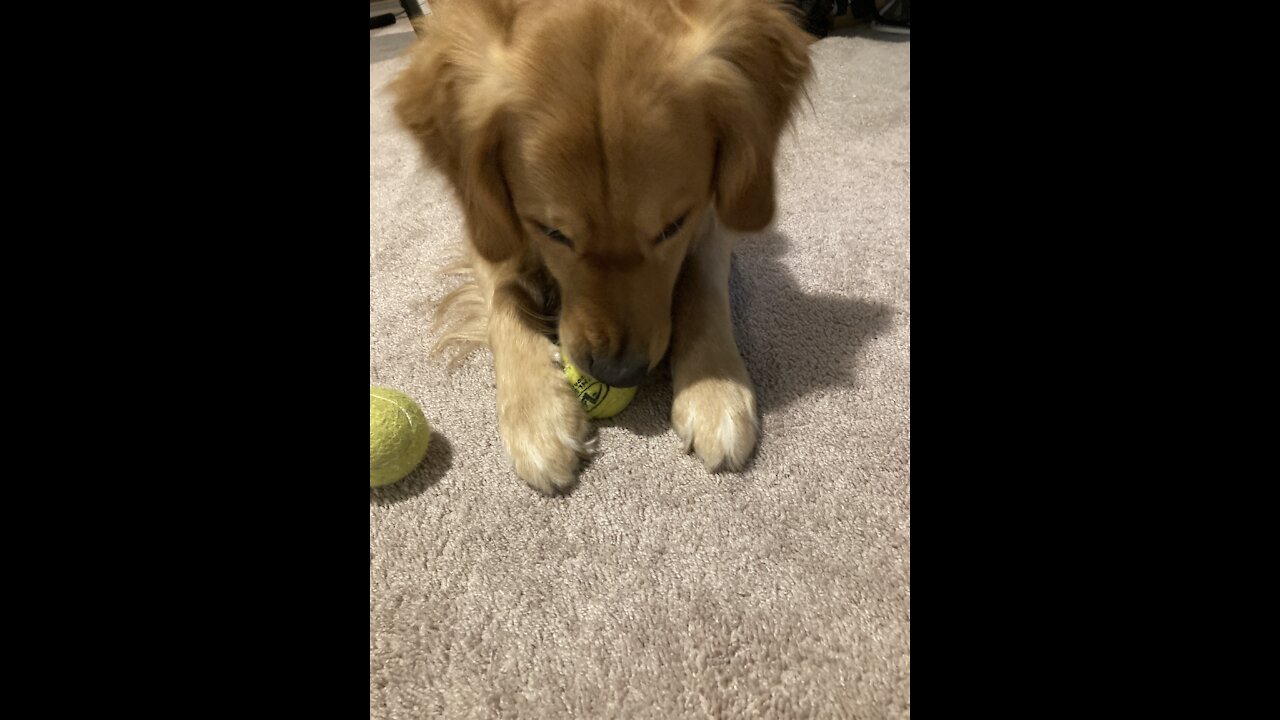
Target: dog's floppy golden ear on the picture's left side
point(451, 99)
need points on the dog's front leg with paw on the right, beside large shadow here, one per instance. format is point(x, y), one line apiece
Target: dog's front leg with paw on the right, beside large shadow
point(715, 407)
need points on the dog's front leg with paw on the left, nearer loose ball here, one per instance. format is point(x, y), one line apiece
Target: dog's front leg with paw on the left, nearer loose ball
point(540, 418)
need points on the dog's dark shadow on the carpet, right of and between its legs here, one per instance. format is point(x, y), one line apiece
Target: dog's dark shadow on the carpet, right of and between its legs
point(796, 345)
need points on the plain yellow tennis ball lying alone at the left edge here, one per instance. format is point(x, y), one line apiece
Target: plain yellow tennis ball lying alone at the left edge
point(399, 436)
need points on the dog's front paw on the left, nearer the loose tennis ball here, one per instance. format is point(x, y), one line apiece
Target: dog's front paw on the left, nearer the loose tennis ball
point(546, 431)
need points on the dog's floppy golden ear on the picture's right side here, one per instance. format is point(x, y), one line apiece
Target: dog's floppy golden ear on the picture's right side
point(752, 62)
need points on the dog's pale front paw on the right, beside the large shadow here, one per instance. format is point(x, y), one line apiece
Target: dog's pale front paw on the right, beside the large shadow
point(716, 420)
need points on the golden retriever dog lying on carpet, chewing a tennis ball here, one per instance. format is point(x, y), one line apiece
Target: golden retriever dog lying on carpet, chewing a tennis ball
point(597, 149)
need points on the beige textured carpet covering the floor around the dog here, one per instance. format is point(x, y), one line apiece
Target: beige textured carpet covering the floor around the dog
point(657, 590)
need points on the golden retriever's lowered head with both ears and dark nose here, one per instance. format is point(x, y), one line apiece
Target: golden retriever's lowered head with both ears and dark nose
point(592, 139)
